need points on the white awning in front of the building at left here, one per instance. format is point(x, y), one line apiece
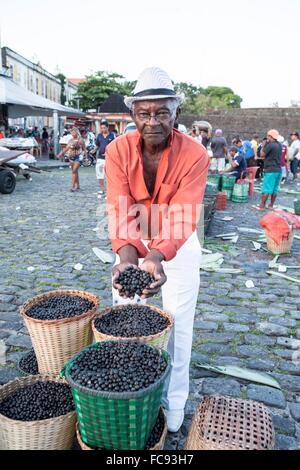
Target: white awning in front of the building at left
point(22, 102)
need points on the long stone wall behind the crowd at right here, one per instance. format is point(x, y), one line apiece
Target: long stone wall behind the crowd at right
point(249, 121)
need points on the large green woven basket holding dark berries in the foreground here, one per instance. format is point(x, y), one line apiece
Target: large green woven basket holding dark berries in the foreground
point(114, 420)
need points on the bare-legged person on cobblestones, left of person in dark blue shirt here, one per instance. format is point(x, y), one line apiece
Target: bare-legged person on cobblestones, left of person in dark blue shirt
point(75, 149)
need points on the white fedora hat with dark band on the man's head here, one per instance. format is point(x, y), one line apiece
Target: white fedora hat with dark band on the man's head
point(153, 84)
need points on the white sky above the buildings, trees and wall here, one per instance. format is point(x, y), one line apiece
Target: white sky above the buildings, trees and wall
point(248, 45)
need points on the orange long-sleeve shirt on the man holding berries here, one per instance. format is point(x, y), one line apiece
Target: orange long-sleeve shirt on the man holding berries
point(177, 196)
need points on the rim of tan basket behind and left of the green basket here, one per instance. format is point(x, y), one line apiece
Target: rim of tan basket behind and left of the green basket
point(56, 293)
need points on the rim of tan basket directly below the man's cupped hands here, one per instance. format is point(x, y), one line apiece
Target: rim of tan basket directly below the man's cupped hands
point(108, 310)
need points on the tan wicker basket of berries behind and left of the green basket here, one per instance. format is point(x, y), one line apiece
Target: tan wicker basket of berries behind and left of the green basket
point(56, 341)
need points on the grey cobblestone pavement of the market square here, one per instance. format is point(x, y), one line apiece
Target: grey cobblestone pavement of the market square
point(50, 229)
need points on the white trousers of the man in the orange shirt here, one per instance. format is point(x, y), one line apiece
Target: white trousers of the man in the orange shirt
point(179, 295)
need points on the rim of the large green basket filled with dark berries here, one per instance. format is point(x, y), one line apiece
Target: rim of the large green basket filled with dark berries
point(116, 395)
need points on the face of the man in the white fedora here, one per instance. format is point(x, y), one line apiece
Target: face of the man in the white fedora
point(155, 119)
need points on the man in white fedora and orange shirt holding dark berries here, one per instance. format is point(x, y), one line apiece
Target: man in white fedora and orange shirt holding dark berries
point(156, 178)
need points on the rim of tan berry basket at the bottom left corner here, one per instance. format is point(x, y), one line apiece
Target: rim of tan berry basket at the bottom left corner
point(30, 380)
